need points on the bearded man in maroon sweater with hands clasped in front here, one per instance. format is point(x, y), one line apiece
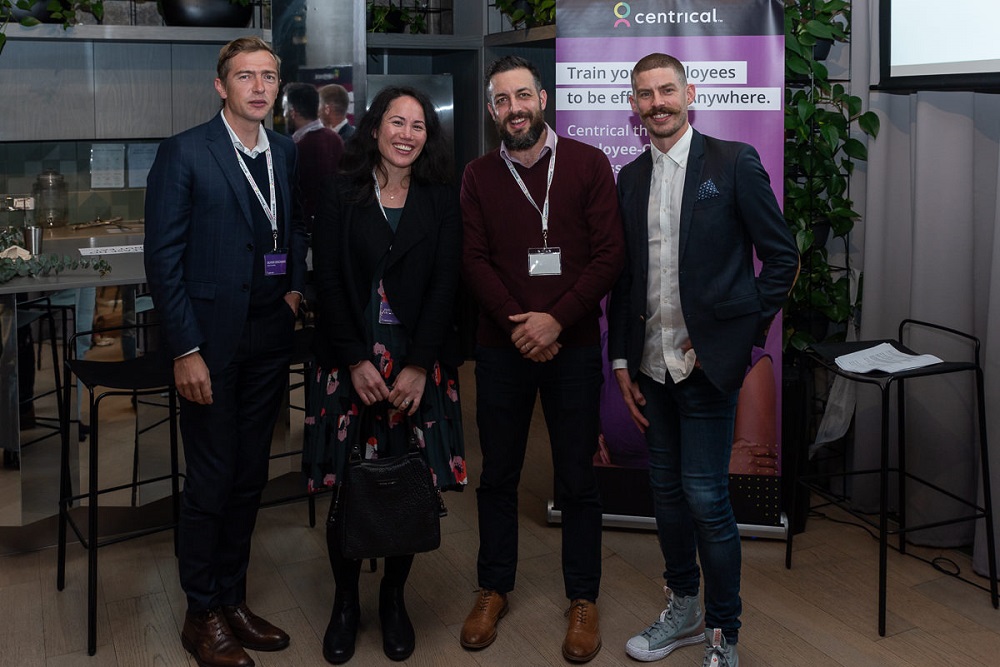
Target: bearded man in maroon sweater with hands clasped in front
point(543, 245)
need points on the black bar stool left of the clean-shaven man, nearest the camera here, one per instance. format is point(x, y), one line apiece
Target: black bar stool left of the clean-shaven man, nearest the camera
point(151, 373)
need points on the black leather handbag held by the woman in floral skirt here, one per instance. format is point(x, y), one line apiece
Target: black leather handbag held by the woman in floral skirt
point(388, 507)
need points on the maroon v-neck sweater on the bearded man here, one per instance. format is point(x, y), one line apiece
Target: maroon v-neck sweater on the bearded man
point(500, 225)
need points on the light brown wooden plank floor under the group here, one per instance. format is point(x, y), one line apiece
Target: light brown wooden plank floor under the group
point(821, 612)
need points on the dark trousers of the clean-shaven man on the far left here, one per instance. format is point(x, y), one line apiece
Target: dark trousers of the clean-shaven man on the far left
point(226, 449)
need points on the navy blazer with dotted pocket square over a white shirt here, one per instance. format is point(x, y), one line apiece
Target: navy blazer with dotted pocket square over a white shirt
point(726, 307)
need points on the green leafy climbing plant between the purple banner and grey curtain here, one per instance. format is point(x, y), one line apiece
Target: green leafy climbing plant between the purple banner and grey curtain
point(820, 156)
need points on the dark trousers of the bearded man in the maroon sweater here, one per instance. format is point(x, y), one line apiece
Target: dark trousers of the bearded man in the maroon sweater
point(507, 386)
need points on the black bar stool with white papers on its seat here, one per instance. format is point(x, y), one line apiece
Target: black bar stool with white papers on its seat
point(826, 354)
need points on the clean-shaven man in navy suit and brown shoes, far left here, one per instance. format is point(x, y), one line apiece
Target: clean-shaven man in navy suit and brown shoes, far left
point(225, 262)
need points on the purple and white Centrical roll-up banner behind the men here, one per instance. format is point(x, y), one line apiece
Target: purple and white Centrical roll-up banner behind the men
point(733, 52)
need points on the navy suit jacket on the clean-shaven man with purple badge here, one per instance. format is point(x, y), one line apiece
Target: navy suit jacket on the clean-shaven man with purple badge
point(199, 251)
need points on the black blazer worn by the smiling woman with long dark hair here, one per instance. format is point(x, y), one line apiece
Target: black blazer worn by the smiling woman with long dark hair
point(420, 279)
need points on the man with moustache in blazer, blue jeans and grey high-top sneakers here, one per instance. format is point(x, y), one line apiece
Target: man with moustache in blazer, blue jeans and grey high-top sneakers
point(682, 321)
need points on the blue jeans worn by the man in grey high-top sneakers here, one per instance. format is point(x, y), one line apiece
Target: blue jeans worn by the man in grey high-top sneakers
point(690, 438)
